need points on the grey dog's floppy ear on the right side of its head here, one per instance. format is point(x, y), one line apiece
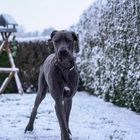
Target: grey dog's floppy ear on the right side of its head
point(76, 41)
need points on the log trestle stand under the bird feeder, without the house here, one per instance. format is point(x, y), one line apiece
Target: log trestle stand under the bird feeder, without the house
point(13, 70)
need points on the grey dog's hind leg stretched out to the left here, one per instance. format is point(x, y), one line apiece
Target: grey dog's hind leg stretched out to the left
point(42, 89)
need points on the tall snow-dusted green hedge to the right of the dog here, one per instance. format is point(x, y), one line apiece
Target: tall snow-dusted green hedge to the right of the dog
point(109, 60)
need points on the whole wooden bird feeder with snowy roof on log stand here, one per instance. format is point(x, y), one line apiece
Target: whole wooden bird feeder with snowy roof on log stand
point(7, 27)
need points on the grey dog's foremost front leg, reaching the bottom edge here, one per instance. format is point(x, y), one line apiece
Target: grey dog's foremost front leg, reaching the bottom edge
point(61, 115)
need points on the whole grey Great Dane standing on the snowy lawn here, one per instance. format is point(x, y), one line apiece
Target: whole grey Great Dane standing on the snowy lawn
point(59, 74)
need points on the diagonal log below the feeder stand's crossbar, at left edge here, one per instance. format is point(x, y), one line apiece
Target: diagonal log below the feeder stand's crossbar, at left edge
point(5, 83)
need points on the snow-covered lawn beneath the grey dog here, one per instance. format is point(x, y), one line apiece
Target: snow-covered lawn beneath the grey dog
point(91, 119)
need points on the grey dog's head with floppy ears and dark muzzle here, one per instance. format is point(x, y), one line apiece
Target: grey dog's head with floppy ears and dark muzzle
point(65, 43)
